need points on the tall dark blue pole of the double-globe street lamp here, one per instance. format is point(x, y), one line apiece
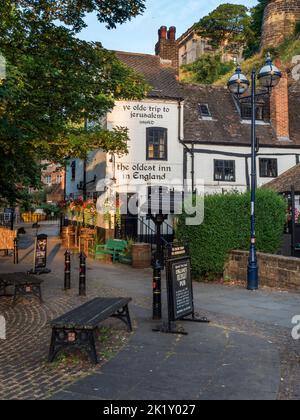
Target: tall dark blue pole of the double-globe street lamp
point(253, 281)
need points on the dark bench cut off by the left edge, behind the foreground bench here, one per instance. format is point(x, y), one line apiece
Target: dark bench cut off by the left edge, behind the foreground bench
point(24, 285)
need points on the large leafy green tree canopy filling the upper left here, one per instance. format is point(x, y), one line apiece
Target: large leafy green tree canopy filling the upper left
point(54, 83)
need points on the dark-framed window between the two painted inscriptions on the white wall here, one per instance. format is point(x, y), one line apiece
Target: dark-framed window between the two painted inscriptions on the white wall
point(157, 143)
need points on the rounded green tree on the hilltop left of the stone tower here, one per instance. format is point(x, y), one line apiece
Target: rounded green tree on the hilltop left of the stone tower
point(230, 22)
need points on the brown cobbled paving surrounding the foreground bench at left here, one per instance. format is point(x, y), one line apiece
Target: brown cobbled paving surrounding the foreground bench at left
point(24, 371)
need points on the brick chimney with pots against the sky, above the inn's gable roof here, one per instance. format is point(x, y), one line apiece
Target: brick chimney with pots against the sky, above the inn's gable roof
point(166, 46)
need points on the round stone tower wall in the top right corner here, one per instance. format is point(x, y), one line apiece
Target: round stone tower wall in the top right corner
point(279, 21)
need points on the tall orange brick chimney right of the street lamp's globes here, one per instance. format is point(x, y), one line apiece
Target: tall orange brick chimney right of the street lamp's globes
point(280, 108)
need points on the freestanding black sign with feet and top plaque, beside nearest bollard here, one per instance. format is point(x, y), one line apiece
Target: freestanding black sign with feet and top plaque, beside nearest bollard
point(179, 291)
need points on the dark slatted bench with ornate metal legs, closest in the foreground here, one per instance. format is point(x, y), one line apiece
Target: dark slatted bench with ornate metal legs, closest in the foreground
point(76, 329)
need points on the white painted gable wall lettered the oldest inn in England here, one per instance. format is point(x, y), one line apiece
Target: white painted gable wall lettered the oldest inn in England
point(134, 169)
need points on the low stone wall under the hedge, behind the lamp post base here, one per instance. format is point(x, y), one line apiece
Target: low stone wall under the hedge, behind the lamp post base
point(274, 270)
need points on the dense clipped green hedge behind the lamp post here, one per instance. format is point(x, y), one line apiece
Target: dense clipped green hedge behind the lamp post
point(227, 226)
